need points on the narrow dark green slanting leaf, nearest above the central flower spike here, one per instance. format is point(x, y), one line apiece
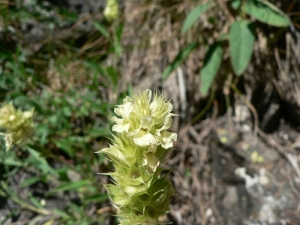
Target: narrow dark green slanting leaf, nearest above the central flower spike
point(179, 59)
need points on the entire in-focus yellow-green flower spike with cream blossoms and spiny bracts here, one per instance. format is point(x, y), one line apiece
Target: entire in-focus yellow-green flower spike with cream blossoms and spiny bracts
point(141, 142)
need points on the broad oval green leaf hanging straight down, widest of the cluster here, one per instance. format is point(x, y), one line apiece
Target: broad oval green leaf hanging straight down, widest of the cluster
point(241, 43)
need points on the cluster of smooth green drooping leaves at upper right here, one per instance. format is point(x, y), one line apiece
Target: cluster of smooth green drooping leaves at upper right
point(238, 34)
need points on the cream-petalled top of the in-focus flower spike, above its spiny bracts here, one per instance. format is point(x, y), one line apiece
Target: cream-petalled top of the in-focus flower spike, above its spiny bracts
point(145, 120)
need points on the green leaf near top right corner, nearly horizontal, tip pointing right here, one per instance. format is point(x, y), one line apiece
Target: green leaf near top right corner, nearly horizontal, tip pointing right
point(266, 12)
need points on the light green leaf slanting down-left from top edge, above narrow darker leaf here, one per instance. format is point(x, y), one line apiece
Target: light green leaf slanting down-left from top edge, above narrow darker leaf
point(194, 15)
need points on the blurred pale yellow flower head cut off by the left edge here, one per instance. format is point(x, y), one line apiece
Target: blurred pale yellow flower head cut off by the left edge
point(18, 125)
